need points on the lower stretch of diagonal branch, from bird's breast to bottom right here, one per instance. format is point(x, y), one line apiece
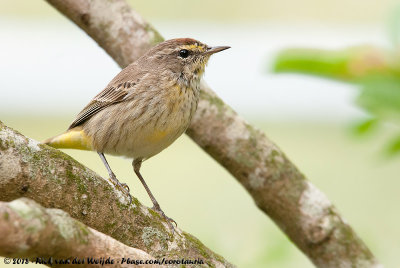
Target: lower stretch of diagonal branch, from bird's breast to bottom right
point(278, 188)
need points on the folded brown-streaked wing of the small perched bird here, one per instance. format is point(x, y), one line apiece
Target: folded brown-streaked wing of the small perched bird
point(110, 95)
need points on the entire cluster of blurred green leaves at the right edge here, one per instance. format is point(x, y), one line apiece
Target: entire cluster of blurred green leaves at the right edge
point(375, 70)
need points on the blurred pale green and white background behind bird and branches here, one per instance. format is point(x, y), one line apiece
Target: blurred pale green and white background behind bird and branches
point(50, 70)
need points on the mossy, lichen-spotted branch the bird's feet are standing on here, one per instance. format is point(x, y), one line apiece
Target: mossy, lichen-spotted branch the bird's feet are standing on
point(55, 180)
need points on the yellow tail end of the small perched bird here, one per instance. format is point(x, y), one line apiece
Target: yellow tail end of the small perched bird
point(74, 138)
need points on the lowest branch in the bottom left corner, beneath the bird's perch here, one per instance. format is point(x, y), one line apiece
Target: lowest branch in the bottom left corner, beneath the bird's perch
point(28, 230)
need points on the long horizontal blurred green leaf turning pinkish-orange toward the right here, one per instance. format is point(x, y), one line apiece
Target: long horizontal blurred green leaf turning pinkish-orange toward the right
point(350, 64)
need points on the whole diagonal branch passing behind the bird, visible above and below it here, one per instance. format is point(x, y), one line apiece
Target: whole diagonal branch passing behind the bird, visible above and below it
point(276, 185)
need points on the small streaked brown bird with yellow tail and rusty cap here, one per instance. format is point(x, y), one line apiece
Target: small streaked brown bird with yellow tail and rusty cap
point(145, 108)
